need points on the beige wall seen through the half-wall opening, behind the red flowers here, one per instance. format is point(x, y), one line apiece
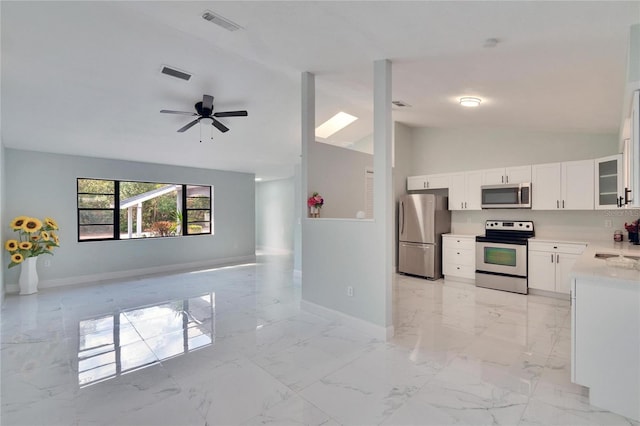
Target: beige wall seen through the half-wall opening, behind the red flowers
point(338, 174)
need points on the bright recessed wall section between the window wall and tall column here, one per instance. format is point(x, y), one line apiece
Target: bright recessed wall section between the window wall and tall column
point(275, 214)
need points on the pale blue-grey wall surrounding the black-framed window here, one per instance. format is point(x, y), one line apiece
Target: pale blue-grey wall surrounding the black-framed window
point(41, 184)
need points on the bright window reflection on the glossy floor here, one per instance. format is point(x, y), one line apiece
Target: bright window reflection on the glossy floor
point(125, 341)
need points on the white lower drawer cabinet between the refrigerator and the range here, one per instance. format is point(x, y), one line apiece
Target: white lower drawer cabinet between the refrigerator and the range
point(459, 256)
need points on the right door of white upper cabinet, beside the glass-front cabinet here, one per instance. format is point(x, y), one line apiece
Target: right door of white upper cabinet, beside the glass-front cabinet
point(577, 185)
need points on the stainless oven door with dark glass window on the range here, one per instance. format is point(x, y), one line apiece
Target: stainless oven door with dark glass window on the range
point(509, 258)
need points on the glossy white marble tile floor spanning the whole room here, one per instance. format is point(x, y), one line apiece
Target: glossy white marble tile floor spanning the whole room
point(230, 346)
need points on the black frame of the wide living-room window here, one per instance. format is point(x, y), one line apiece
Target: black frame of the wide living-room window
point(184, 225)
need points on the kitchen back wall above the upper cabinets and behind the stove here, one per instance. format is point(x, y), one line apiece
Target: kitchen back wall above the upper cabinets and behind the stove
point(448, 150)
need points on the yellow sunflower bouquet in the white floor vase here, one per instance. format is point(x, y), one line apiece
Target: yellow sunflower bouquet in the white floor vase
point(35, 237)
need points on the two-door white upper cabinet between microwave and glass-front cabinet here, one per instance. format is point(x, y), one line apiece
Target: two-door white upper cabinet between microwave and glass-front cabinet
point(568, 185)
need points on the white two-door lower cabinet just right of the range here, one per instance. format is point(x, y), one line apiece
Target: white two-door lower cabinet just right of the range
point(550, 264)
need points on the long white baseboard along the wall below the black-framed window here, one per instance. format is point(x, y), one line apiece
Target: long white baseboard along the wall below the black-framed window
point(132, 273)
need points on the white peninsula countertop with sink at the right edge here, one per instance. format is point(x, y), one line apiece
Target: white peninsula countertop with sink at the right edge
point(588, 266)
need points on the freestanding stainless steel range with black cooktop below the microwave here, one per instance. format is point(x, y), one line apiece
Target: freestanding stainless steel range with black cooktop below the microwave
point(501, 255)
